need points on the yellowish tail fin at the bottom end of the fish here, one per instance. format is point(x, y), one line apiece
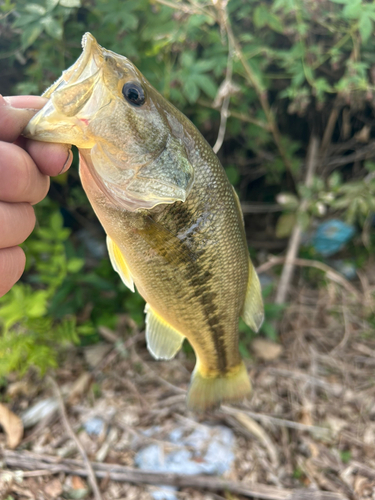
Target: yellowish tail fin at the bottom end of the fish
point(206, 393)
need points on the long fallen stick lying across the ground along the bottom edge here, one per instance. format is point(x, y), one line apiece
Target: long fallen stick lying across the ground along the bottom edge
point(43, 463)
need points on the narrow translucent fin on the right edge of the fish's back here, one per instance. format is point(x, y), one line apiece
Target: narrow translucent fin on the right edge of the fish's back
point(253, 310)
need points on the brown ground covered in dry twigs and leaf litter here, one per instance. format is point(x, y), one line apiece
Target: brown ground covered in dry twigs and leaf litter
point(308, 430)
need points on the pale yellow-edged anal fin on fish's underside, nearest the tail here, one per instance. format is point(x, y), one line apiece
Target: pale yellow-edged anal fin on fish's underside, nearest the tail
point(163, 341)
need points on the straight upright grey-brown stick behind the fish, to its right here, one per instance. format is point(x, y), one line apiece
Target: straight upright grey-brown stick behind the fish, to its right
point(295, 239)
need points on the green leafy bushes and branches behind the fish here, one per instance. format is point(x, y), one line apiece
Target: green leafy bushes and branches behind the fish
point(264, 78)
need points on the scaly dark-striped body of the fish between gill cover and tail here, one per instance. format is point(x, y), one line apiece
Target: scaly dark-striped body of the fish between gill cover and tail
point(207, 274)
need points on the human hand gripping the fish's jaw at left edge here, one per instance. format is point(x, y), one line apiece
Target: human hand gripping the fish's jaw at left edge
point(25, 167)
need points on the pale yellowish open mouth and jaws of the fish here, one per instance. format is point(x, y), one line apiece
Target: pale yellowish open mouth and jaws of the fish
point(73, 100)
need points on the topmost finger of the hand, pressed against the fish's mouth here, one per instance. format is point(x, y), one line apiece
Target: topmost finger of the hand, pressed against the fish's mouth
point(15, 113)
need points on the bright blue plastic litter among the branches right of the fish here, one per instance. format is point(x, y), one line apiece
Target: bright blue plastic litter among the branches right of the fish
point(331, 236)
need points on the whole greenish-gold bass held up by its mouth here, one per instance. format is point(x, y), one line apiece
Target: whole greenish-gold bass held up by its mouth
point(173, 221)
